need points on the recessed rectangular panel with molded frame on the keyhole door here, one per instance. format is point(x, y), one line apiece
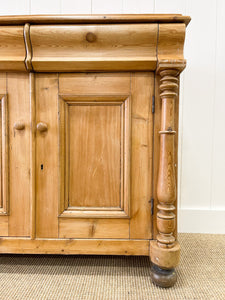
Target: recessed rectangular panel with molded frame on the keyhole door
point(111, 105)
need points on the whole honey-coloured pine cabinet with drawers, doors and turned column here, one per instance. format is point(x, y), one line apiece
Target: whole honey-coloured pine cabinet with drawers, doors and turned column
point(88, 143)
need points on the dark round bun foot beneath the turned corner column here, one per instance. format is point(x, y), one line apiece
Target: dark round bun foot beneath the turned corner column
point(163, 277)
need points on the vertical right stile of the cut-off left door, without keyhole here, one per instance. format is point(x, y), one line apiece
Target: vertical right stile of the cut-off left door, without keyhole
point(19, 154)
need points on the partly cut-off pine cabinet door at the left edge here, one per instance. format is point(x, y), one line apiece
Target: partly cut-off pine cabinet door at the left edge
point(15, 156)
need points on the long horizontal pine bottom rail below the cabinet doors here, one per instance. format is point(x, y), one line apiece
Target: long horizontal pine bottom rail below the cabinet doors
point(75, 246)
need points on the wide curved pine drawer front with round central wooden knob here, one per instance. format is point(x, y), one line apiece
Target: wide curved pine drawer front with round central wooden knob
point(94, 47)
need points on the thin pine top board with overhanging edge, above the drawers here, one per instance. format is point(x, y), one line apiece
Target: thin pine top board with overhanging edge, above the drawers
point(87, 19)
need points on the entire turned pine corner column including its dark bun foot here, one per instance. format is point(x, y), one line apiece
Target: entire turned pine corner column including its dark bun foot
point(165, 250)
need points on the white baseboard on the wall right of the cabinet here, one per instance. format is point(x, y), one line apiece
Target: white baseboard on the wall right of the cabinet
point(201, 221)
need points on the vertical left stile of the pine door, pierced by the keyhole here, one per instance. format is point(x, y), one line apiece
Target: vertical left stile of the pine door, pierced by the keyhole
point(47, 156)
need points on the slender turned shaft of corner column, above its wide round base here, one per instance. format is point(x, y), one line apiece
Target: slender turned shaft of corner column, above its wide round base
point(166, 185)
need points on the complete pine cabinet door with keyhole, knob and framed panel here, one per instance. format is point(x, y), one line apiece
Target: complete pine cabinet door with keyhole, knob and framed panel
point(94, 155)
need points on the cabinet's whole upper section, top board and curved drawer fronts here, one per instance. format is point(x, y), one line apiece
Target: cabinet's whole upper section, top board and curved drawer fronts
point(87, 47)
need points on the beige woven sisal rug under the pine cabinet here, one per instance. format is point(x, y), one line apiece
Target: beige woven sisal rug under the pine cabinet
point(201, 275)
